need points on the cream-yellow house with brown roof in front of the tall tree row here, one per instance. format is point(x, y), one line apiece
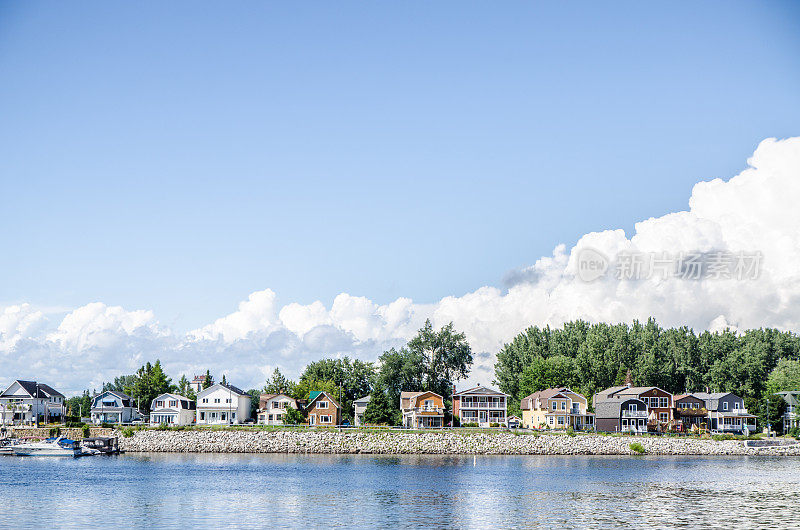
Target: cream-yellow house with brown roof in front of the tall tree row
point(556, 408)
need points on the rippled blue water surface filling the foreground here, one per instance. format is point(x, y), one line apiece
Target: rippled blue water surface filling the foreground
point(317, 491)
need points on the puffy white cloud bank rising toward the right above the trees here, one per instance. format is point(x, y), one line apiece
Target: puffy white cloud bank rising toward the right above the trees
point(754, 211)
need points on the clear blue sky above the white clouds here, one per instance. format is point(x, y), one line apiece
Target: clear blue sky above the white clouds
point(179, 156)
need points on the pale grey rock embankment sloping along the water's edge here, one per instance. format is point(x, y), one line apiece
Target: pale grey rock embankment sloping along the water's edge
point(440, 442)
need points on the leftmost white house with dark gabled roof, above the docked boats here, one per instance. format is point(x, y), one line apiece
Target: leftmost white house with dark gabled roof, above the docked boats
point(23, 401)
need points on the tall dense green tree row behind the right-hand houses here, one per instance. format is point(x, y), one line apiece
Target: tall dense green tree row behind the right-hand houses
point(590, 357)
